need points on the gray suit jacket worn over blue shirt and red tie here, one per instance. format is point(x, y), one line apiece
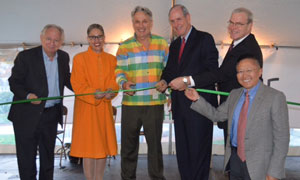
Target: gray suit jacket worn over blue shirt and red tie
point(267, 134)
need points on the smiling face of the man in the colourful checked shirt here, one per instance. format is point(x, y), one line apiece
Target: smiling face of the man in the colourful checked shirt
point(142, 25)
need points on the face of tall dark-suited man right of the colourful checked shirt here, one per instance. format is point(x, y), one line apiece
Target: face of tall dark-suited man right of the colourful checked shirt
point(180, 24)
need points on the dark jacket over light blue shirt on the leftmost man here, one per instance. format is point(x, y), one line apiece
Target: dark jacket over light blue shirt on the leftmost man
point(29, 76)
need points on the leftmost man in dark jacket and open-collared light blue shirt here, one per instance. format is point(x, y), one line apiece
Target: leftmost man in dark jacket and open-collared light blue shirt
point(42, 71)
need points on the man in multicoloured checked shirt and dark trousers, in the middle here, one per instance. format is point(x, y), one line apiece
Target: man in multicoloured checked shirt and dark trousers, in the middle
point(141, 60)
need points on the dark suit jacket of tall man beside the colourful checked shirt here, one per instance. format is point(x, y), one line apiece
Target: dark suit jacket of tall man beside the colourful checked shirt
point(199, 55)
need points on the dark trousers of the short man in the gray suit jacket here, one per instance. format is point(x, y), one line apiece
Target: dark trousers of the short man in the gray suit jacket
point(238, 169)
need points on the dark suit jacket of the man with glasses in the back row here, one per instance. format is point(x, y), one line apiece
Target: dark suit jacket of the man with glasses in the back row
point(225, 76)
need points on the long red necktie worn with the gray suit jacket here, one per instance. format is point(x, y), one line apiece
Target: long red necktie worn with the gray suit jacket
point(242, 129)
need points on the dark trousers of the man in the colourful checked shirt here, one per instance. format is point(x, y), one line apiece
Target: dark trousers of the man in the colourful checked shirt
point(133, 118)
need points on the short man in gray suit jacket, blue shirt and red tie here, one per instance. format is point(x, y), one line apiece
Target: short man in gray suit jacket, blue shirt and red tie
point(261, 153)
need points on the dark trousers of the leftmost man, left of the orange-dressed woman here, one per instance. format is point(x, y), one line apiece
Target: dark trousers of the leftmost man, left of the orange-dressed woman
point(41, 139)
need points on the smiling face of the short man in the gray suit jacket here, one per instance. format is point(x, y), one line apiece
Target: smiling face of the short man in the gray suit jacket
point(248, 73)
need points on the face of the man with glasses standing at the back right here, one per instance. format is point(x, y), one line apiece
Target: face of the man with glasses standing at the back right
point(238, 26)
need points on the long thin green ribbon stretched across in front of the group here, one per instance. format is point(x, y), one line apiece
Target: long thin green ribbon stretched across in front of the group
point(117, 91)
